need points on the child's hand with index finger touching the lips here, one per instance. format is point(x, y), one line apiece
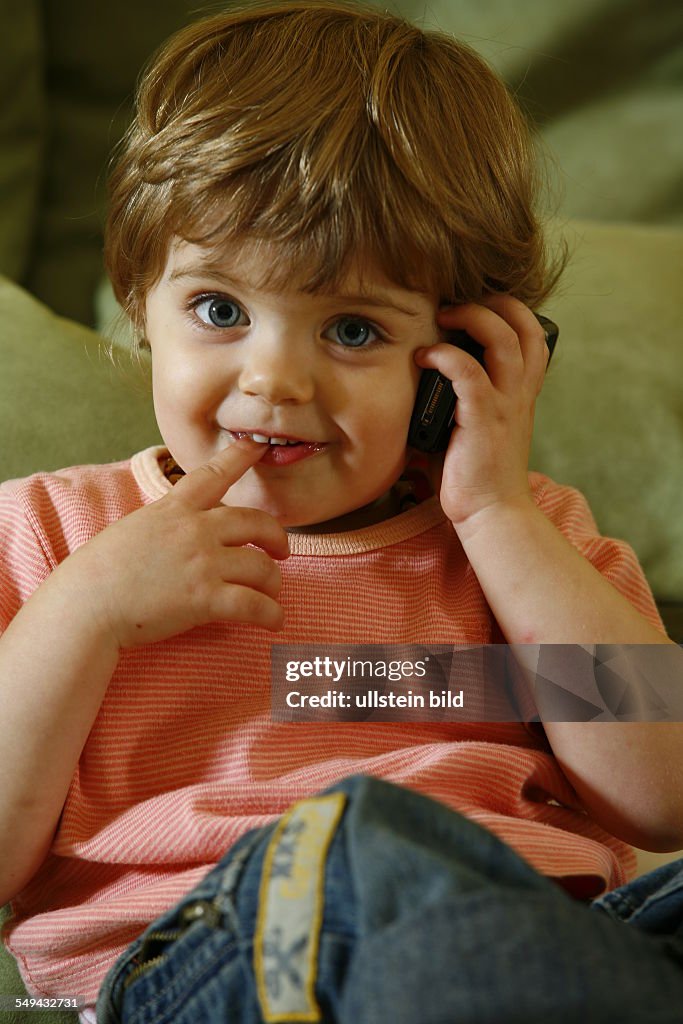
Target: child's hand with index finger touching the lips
point(182, 562)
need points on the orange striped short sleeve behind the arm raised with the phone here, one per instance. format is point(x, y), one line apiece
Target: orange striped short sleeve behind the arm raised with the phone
point(615, 560)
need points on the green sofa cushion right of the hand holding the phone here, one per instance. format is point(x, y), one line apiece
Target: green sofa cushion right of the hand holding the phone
point(611, 416)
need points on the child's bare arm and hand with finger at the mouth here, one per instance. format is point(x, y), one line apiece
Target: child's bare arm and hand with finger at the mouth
point(167, 568)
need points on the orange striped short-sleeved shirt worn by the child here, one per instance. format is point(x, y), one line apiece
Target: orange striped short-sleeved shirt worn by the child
point(184, 757)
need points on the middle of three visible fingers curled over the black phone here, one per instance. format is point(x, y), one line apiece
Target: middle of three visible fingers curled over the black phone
point(502, 354)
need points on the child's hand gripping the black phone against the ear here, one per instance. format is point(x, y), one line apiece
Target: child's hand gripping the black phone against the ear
point(486, 465)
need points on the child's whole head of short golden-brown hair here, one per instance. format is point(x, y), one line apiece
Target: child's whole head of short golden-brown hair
point(332, 131)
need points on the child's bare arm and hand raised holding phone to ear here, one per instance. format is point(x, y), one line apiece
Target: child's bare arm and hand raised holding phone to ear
point(540, 588)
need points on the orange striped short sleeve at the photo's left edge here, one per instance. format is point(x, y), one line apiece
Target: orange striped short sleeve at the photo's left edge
point(25, 564)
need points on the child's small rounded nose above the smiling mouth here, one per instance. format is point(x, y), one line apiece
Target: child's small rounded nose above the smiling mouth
point(279, 369)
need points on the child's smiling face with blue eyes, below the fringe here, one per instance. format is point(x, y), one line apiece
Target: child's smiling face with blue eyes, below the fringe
point(334, 371)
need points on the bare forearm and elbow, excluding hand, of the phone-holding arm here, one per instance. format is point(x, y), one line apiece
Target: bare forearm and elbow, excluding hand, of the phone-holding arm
point(542, 590)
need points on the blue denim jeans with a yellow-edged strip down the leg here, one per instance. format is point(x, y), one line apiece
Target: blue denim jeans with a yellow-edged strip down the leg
point(372, 905)
